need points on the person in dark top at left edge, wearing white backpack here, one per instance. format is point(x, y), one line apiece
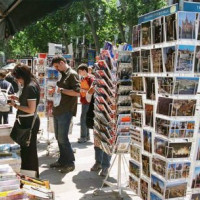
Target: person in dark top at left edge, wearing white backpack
point(6, 87)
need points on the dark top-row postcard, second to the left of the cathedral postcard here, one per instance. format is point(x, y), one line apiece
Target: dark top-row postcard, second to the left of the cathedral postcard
point(158, 30)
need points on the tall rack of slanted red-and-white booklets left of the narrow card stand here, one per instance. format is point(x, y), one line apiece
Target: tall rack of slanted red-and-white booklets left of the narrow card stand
point(104, 105)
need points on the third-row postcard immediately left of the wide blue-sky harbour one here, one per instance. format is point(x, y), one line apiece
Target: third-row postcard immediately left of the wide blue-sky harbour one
point(165, 85)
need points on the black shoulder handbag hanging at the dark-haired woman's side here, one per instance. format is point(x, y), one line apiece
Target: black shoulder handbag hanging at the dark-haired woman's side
point(21, 135)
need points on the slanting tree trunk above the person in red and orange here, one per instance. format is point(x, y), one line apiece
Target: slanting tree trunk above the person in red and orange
point(93, 28)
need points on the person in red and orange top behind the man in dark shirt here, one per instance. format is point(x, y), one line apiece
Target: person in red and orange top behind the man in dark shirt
point(86, 82)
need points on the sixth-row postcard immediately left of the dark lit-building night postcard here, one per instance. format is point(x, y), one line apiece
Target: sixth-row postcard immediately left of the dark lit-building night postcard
point(160, 146)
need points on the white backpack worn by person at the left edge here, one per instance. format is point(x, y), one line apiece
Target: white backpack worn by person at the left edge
point(4, 107)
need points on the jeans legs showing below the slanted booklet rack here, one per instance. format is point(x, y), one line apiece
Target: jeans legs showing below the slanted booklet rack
point(102, 158)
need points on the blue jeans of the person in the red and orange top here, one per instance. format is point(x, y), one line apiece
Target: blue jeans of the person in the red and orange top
point(84, 128)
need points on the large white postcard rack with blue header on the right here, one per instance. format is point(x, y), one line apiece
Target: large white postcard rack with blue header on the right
point(165, 149)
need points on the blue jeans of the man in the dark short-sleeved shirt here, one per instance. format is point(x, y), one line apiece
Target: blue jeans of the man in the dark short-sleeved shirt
point(61, 127)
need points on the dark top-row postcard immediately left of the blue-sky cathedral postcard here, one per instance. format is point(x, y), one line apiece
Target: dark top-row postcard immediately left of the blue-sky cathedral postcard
point(171, 27)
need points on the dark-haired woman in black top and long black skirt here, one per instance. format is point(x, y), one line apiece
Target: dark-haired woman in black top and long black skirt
point(26, 110)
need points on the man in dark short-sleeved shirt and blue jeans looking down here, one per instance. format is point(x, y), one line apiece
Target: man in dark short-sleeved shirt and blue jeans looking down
point(69, 87)
